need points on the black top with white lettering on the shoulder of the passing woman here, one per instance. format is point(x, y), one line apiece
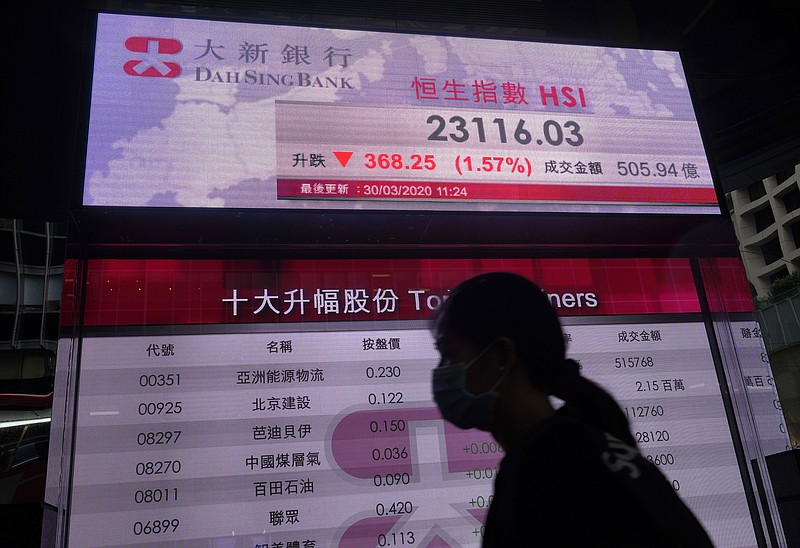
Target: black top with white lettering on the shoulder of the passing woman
point(570, 484)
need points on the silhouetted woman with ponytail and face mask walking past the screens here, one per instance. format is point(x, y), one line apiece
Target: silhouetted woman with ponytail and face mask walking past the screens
point(571, 477)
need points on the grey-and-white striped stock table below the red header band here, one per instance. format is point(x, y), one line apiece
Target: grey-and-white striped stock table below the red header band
point(322, 438)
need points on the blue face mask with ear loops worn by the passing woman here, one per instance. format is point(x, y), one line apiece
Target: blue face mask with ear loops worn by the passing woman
point(456, 404)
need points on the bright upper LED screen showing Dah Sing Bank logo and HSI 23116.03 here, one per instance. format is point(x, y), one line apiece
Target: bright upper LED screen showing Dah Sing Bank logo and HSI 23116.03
point(192, 113)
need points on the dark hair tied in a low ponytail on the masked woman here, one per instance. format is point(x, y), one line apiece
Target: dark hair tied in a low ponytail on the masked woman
point(502, 304)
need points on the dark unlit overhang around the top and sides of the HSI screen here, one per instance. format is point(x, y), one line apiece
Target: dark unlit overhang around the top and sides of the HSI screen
point(741, 58)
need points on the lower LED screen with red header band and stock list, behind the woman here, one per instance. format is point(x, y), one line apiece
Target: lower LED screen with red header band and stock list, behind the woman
point(290, 405)
